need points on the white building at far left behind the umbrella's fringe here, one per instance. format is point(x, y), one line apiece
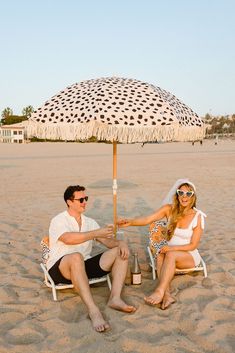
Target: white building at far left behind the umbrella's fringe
point(15, 133)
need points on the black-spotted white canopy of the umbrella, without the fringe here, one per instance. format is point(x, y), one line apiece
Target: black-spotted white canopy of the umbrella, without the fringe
point(116, 101)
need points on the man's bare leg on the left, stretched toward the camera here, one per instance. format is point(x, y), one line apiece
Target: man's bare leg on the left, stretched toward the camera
point(72, 267)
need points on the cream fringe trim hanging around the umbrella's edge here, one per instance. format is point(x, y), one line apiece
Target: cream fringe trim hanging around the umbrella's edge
point(123, 134)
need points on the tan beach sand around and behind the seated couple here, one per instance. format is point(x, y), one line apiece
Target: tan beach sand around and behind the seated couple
point(32, 181)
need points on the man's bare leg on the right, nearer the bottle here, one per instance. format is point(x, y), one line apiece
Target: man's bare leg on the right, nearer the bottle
point(111, 260)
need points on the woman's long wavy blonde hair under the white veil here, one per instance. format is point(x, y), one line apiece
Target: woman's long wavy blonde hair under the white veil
point(178, 211)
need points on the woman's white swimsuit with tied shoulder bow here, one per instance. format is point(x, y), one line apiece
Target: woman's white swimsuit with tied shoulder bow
point(182, 236)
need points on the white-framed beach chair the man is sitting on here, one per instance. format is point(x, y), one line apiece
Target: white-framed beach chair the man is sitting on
point(48, 281)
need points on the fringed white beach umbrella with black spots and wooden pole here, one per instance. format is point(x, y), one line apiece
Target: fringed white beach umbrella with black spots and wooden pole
point(117, 110)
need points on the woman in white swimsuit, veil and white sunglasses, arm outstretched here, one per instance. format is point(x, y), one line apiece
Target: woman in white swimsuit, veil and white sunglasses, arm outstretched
point(185, 225)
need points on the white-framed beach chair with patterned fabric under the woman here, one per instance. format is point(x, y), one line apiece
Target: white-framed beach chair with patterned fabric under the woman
point(157, 240)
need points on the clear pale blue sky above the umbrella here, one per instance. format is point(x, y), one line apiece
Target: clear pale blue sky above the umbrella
point(184, 46)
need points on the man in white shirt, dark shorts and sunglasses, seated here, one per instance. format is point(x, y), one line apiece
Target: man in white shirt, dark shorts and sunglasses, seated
point(71, 235)
